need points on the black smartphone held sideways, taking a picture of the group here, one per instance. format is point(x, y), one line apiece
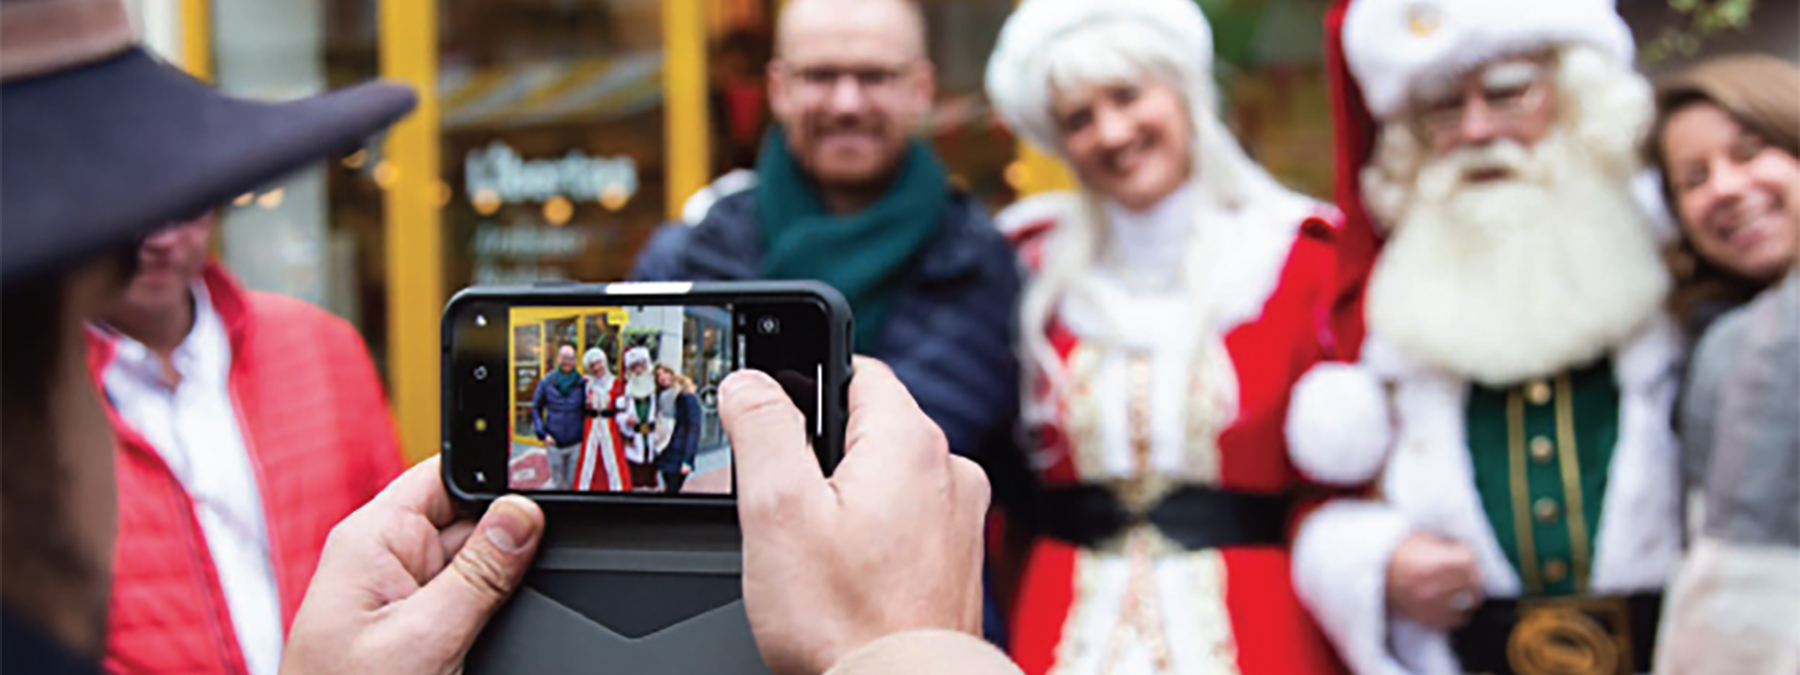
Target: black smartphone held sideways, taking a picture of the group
point(609, 393)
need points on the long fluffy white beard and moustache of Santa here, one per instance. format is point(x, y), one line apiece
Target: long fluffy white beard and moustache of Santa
point(1524, 278)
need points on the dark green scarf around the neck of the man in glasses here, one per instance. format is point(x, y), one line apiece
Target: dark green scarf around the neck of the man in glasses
point(863, 255)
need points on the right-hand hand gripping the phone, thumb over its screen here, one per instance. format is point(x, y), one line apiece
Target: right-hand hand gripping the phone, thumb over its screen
point(890, 543)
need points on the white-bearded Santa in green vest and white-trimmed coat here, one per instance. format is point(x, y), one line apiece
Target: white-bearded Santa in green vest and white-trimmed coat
point(1513, 399)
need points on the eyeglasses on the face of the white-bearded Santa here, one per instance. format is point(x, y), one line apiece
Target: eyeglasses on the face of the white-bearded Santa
point(1506, 94)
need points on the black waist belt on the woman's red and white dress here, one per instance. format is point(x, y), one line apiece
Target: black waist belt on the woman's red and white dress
point(1194, 517)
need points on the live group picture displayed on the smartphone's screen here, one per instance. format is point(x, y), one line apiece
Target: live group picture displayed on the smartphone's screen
point(620, 399)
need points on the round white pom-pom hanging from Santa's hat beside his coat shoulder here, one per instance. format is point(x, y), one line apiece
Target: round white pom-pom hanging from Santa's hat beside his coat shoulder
point(1338, 429)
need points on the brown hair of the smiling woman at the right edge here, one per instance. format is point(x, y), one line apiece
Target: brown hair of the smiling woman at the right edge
point(1763, 96)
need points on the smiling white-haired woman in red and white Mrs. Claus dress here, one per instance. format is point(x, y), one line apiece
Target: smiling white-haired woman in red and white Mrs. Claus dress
point(1173, 305)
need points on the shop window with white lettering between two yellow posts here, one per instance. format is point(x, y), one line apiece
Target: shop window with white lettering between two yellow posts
point(553, 138)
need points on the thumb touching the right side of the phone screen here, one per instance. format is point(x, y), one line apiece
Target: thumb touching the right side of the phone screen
point(769, 442)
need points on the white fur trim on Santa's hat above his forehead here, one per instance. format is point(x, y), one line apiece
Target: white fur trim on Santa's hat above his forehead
point(1394, 46)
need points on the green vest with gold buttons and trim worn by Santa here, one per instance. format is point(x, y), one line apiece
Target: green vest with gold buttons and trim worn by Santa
point(1542, 454)
